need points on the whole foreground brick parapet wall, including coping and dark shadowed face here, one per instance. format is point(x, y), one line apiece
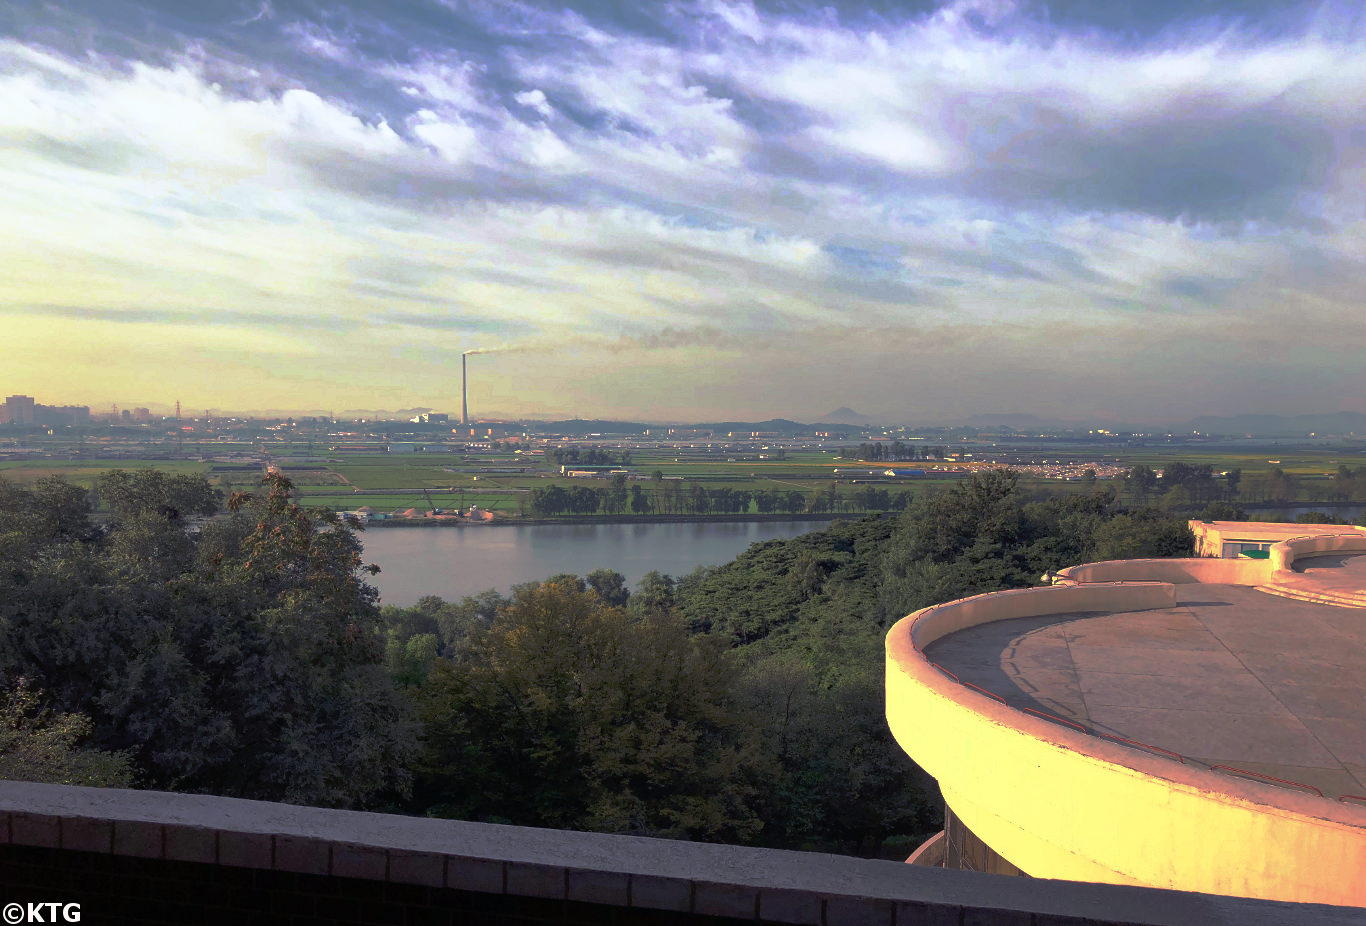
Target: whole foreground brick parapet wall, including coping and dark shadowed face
point(155, 857)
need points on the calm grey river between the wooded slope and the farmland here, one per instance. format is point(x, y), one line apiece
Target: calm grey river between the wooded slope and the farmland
point(457, 562)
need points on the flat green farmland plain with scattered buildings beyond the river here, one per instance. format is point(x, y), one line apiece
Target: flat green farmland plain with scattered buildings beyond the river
point(637, 479)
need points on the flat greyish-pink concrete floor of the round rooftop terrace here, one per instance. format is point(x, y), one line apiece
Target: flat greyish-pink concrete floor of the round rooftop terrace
point(1230, 677)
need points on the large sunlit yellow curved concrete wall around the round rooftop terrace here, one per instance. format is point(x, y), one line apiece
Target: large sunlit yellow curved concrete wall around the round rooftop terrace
point(1061, 804)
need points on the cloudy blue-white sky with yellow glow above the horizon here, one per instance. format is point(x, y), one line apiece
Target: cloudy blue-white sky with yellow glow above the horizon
point(686, 211)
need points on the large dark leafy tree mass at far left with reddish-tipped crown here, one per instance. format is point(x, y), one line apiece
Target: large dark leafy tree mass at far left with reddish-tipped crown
point(245, 660)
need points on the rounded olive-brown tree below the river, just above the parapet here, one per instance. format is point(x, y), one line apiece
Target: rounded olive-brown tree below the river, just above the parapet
point(570, 714)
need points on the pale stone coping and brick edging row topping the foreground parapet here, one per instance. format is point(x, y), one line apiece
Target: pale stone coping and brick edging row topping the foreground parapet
point(764, 886)
